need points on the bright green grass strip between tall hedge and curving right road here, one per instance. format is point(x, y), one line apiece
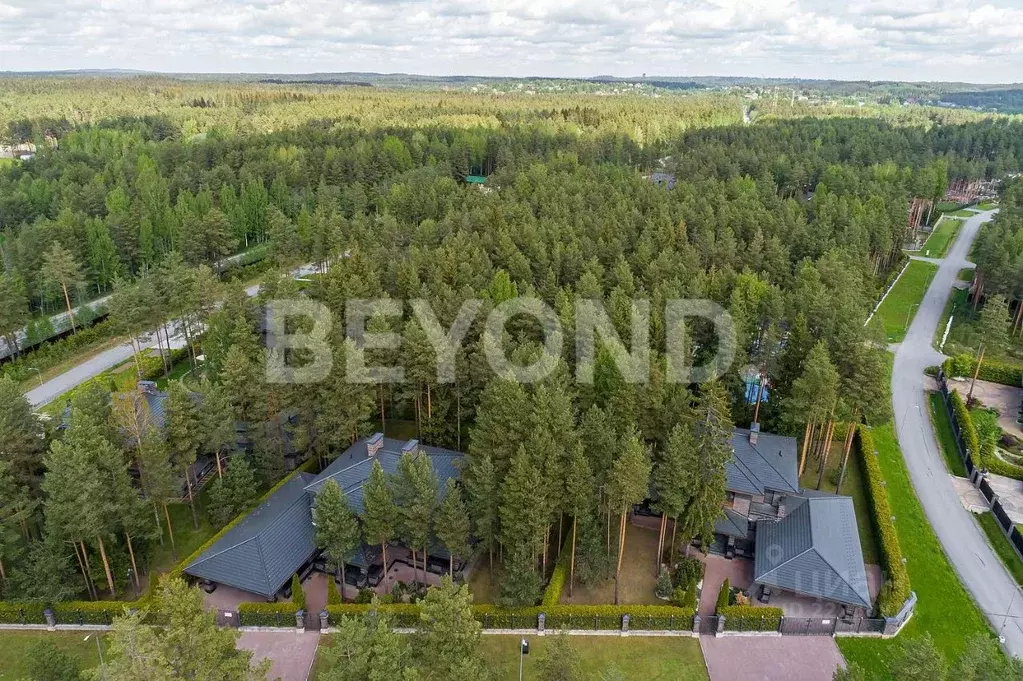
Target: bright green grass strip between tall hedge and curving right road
point(945, 609)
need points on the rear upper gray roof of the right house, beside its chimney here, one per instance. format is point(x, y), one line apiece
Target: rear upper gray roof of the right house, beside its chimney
point(771, 465)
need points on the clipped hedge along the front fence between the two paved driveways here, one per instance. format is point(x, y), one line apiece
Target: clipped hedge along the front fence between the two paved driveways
point(593, 618)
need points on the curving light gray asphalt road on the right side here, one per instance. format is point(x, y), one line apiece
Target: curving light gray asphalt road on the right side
point(972, 558)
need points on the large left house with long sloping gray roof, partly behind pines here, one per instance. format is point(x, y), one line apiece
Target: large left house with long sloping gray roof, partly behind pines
point(278, 539)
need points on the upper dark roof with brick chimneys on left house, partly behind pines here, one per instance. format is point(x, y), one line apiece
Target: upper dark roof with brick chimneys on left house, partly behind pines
point(351, 470)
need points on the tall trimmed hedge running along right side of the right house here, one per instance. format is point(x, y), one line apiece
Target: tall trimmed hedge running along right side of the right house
point(897, 589)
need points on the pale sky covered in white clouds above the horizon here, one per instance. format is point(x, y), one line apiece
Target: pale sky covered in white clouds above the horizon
point(980, 41)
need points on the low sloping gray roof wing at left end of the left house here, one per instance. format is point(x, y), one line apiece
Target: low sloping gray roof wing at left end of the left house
point(262, 553)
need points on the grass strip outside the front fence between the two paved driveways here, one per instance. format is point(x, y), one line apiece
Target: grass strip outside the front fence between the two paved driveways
point(639, 658)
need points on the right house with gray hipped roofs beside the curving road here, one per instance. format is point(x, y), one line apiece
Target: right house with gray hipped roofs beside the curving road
point(803, 541)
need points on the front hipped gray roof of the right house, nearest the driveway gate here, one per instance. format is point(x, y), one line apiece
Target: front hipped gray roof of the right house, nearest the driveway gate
point(815, 551)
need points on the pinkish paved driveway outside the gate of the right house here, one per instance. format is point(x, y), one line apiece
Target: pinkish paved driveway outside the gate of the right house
point(775, 659)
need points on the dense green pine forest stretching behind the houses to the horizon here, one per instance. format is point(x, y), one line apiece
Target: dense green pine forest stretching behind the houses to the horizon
point(794, 223)
